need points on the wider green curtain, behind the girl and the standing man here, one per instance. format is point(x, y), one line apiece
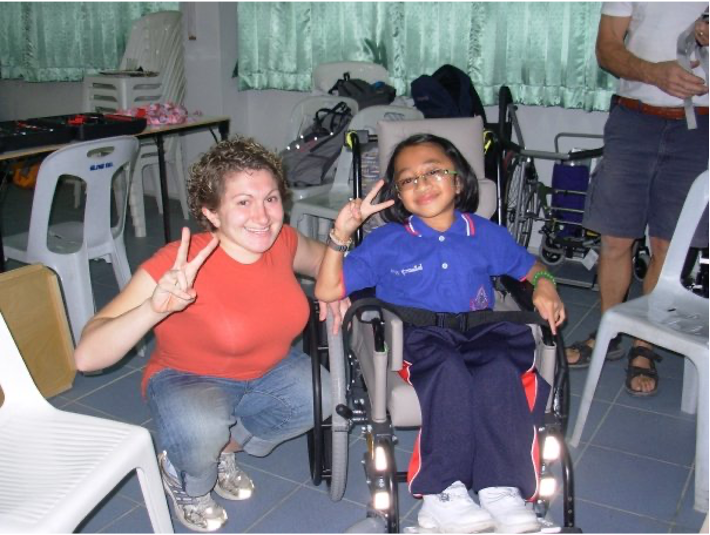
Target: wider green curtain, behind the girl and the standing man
point(544, 51)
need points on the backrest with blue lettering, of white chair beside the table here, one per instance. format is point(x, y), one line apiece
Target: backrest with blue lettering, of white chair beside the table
point(104, 165)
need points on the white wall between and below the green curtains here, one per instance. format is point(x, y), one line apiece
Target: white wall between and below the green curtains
point(209, 62)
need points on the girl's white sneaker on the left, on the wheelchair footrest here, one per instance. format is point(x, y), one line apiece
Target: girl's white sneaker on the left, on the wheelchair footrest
point(453, 511)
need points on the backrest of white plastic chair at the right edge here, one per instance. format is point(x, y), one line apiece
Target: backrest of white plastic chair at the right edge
point(695, 204)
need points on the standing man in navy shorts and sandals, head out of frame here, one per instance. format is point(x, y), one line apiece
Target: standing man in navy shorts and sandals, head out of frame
point(651, 157)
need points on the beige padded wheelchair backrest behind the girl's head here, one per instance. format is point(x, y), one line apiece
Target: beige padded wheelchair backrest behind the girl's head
point(465, 133)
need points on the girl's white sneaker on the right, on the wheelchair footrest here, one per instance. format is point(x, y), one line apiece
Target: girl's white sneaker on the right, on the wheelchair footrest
point(508, 509)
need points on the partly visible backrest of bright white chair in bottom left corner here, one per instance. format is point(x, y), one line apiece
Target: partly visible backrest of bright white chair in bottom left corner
point(17, 385)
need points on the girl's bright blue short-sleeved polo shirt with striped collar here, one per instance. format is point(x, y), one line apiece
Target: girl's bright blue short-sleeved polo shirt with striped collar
point(417, 266)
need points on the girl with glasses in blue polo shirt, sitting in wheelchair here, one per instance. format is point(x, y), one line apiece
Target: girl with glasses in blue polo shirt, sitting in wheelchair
point(480, 396)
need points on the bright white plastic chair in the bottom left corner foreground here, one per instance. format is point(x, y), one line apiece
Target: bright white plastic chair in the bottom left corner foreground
point(56, 466)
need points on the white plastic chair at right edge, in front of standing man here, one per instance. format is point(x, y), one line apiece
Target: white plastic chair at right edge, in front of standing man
point(671, 317)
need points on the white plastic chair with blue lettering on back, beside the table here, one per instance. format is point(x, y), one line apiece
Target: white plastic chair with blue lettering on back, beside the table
point(66, 248)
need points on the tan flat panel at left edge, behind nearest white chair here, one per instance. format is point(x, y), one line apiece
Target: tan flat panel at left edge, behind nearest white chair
point(31, 303)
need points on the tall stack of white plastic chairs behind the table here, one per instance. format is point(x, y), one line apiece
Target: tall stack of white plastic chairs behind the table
point(155, 45)
